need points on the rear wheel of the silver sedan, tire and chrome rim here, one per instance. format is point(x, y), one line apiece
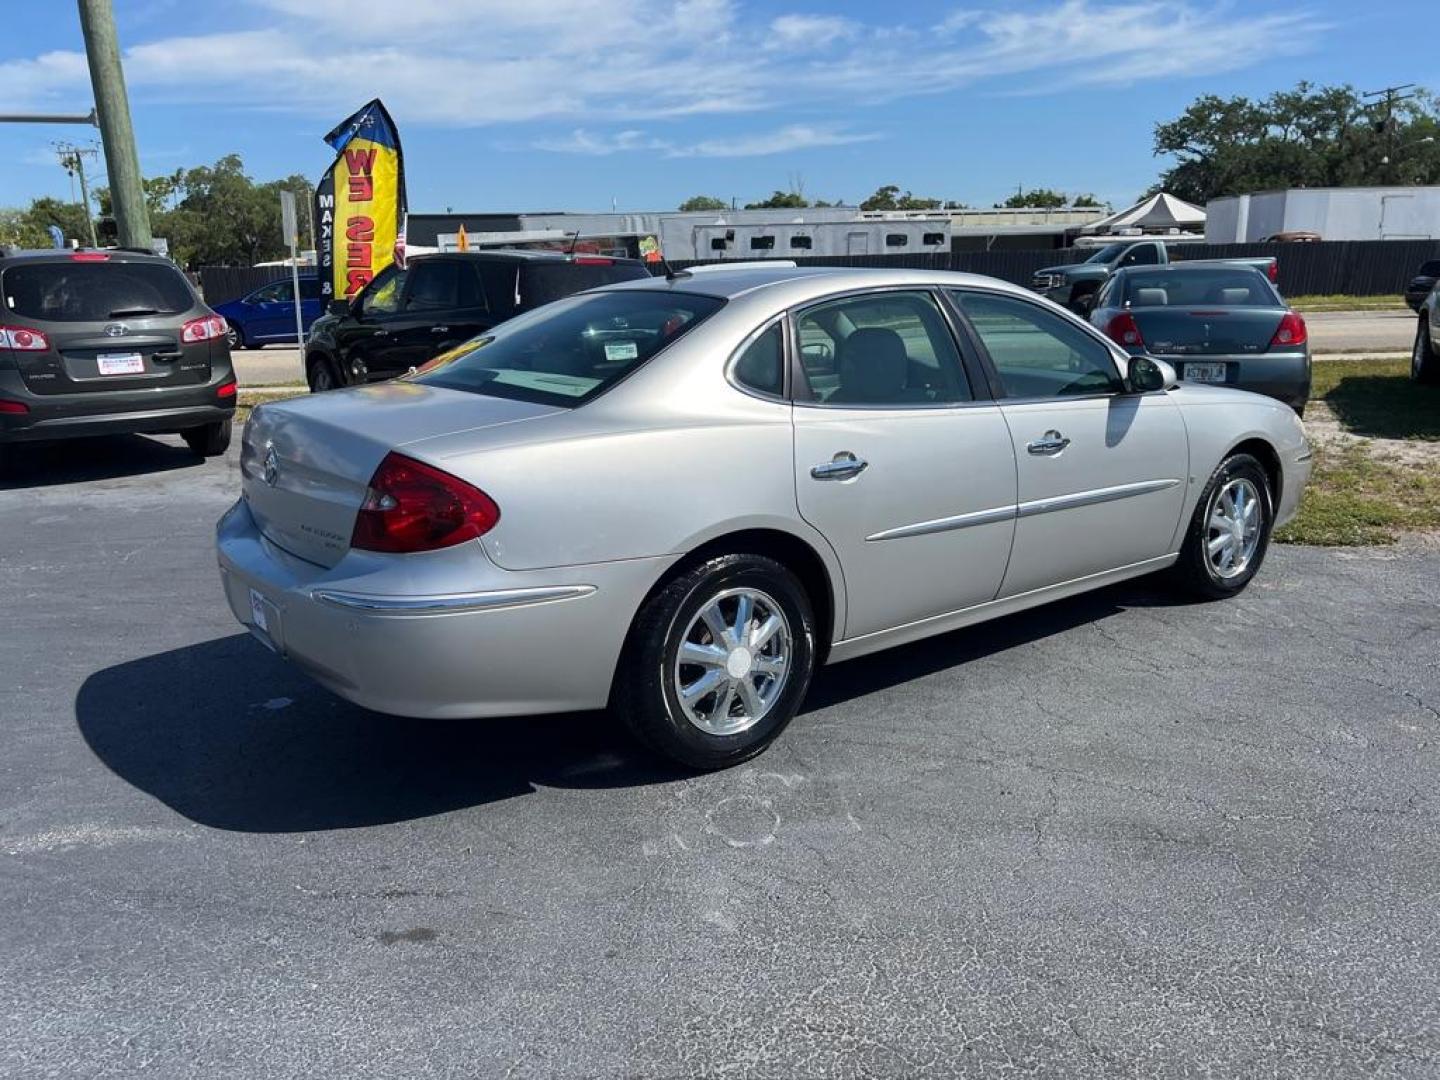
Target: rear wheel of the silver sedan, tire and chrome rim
point(718, 662)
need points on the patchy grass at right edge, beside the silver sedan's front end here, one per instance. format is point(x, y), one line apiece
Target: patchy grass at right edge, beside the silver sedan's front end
point(1356, 498)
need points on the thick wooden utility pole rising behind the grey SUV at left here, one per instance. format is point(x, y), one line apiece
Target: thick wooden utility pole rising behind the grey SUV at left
point(113, 107)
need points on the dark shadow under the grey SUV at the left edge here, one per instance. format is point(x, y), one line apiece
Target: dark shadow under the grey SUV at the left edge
point(77, 462)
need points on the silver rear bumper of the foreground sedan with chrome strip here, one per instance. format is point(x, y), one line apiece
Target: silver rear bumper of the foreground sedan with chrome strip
point(388, 634)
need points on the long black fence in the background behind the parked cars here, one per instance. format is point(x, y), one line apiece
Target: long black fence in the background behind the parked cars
point(1354, 269)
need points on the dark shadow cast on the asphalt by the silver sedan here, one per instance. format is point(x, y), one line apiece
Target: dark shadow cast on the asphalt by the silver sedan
point(235, 738)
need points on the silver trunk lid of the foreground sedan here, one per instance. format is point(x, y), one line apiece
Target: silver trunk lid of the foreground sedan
point(309, 462)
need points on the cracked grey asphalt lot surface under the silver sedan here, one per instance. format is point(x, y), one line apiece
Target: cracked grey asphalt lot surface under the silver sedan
point(1121, 836)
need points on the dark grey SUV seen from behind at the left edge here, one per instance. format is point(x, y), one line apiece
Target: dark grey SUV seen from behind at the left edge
point(110, 342)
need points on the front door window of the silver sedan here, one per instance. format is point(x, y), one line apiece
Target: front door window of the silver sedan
point(1038, 352)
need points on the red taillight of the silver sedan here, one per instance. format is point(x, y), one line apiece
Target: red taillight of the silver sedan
point(415, 508)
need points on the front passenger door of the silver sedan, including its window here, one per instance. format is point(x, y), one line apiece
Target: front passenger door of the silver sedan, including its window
point(1102, 472)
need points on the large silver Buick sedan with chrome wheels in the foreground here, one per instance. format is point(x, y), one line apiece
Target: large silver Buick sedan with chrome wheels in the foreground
point(676, 499)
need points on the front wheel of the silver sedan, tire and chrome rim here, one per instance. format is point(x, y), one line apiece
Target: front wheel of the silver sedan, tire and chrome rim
point(1230, 532)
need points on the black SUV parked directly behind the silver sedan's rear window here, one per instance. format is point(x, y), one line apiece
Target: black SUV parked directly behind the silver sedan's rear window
point(404, 318)
